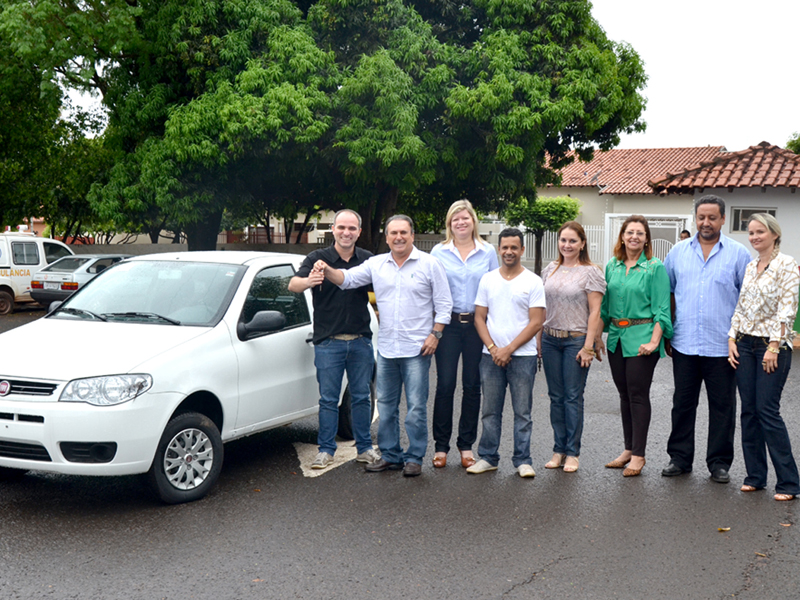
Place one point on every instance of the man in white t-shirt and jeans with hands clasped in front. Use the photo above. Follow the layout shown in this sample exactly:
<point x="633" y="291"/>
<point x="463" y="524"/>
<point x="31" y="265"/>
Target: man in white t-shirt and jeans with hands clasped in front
<point x="509" y="312"/>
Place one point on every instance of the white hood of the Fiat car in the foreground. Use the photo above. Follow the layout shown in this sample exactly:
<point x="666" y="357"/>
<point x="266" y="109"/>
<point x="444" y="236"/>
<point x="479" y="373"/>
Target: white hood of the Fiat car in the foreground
<point x="64" y="349"/>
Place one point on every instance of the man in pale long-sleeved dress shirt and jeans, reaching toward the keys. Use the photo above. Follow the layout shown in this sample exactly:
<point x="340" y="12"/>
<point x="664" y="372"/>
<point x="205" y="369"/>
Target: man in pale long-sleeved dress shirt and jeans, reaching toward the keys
<point x="414" y="303"/>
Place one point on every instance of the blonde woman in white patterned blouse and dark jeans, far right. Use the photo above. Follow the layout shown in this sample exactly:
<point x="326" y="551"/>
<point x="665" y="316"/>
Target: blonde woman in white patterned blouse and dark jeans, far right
<point x="760" y="349"/>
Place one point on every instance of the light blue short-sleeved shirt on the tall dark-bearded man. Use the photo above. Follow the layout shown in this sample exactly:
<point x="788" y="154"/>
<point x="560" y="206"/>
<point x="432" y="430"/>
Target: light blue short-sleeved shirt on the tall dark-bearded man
<point x="706" y="292"/>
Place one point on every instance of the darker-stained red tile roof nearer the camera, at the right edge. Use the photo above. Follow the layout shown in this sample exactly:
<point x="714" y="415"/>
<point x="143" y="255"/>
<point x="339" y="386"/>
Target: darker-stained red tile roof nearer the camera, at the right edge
<point x="764" y="165"/>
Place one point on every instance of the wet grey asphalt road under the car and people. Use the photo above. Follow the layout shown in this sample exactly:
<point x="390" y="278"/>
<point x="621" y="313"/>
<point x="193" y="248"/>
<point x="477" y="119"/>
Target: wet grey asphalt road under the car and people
<point x="266" y="531"/>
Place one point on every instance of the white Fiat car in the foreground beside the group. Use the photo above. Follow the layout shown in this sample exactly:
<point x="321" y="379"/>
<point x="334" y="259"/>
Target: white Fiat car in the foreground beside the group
<point x="178" y="353"/>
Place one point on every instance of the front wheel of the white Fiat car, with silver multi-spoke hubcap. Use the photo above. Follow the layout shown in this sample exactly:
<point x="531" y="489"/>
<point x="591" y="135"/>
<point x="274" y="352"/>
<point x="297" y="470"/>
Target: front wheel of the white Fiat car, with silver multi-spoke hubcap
<point x="178" y="476"/>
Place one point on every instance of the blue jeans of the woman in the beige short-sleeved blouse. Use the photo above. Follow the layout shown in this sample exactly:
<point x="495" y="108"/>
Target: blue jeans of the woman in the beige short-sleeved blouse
<point x="566" y="380"/>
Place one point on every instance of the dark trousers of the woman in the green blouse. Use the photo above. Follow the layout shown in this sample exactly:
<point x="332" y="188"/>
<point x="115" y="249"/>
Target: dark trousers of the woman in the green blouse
<point x="633" y="377"/>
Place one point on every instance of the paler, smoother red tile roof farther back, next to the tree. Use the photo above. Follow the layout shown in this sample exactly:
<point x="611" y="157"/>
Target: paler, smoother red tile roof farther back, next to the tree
<point x="629" y="171"/>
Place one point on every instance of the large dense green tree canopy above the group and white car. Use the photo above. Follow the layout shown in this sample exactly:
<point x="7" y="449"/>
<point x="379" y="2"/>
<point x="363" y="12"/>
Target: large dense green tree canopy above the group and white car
<point x="277" y="107"/>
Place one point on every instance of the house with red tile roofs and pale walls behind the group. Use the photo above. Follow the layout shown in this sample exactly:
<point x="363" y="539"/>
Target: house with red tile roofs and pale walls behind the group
<point x="662" y="184"/>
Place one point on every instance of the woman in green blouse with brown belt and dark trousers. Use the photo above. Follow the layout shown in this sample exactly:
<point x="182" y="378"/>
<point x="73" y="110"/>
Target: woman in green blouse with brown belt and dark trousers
<point x="636" y="314"/>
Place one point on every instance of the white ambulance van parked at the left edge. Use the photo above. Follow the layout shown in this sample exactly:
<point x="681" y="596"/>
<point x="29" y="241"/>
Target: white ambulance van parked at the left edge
<point x="21" y="257"/>
